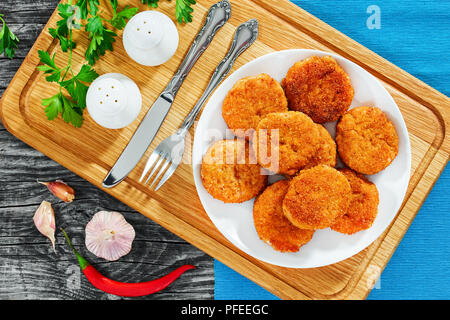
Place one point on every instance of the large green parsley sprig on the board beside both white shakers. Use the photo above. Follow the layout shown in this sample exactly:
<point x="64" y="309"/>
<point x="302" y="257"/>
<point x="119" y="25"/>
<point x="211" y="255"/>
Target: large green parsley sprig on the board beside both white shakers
<point x="71" y="106"/>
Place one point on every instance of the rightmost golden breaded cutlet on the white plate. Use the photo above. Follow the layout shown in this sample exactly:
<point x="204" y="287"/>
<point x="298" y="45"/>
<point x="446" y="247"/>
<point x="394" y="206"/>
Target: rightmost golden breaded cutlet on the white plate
<point x="366" y="139"/>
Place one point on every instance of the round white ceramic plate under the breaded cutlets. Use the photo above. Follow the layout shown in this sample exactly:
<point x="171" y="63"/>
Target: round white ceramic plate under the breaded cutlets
<point x="235" y="221"/>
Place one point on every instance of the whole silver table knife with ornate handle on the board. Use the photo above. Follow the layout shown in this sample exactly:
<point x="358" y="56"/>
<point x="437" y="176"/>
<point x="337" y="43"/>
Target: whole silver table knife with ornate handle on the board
<point x="218" y="14"/>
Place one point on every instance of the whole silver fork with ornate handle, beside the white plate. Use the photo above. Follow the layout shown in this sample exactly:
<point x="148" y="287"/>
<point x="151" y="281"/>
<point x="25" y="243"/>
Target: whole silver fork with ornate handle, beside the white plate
<point x="169" y="152"/>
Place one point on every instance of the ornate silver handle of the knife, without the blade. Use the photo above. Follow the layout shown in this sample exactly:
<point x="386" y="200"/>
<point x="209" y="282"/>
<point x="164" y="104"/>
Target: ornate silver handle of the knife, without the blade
<point x="218" y="14"/>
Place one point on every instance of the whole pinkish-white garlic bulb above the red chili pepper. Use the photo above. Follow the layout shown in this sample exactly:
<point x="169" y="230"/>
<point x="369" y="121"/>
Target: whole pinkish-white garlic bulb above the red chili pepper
<point x="109" y="235"/>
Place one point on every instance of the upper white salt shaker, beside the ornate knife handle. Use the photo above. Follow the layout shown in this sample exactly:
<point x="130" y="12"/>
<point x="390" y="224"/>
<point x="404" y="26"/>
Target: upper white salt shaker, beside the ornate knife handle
<point x="150" y="38"/>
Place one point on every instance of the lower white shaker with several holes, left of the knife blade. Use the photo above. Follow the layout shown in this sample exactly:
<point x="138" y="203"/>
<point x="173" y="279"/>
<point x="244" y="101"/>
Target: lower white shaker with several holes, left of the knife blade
<point x="113" y="100"/>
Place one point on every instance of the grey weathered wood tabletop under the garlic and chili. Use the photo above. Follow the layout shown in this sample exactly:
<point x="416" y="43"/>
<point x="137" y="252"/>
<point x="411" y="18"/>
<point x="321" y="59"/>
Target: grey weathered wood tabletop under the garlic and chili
<point x="29" y="269"/>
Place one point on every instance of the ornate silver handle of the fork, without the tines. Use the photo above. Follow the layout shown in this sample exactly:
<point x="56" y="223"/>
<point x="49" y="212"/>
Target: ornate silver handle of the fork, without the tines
<point x="245" y="35"/>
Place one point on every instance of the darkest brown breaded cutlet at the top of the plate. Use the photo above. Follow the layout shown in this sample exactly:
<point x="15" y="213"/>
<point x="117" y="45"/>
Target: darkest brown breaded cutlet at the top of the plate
<point x="319" y="87"/>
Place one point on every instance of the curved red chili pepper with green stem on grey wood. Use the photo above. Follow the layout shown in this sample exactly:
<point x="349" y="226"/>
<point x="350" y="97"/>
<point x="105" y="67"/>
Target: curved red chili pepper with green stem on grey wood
<point x="122" y="288"/>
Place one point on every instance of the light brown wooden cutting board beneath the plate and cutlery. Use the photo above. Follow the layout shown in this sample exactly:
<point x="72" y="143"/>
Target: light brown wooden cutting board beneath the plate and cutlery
<point x="91" y="150"/>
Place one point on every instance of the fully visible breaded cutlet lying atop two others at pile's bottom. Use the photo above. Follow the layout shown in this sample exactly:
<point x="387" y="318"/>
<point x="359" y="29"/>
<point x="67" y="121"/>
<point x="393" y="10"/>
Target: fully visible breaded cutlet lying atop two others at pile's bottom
<point x="317" y="197"/>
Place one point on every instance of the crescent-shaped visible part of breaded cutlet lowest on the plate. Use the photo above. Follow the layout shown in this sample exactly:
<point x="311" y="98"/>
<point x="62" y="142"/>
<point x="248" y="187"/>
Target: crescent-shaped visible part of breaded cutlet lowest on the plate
<point x="271" y="224"/>
